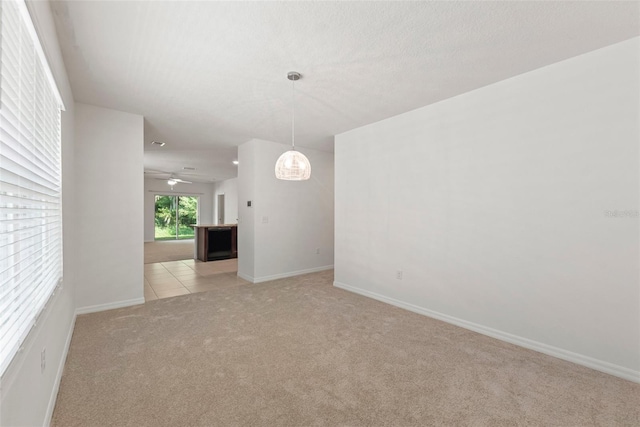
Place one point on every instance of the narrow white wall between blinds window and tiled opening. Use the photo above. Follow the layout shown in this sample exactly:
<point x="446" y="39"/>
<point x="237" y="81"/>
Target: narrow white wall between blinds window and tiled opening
<point x="109" y="218"/>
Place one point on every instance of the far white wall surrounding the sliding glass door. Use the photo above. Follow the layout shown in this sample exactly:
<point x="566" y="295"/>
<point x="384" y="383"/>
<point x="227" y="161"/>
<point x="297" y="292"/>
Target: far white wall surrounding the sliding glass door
<point x="153" y="187"/>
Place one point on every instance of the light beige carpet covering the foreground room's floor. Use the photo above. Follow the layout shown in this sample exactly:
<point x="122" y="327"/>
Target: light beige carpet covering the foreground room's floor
<point x="299" y="352"/>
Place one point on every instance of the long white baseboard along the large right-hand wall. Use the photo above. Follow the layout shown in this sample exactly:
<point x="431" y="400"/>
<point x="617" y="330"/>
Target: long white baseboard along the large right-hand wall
<point x="579" y="359"/>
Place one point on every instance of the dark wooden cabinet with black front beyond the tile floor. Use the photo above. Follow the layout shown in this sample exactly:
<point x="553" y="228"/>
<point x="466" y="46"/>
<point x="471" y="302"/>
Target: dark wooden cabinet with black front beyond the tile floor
<point x="214" y="242"/>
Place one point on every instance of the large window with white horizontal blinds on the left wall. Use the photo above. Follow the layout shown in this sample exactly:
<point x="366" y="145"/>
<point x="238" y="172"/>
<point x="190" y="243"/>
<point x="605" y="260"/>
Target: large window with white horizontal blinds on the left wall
<point x="30" y="180"/>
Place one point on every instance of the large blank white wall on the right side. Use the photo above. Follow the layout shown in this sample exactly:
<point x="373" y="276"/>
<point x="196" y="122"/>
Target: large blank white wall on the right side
<point x="493" y="205"/>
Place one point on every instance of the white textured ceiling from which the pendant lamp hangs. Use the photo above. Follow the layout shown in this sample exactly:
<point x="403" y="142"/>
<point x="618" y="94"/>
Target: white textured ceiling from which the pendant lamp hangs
<point x="208" y="76"/>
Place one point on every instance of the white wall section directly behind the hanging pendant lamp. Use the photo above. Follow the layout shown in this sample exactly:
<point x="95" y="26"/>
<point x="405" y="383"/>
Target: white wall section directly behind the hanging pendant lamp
<point x="291" y="220"/>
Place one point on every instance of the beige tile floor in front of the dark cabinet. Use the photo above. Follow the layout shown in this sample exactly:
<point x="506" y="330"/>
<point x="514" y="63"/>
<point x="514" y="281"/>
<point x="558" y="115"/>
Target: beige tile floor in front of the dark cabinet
<point x="173" y="278"/>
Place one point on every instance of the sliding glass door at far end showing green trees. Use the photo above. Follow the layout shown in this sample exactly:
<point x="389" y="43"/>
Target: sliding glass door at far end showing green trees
<point x="174" y="216"/>
